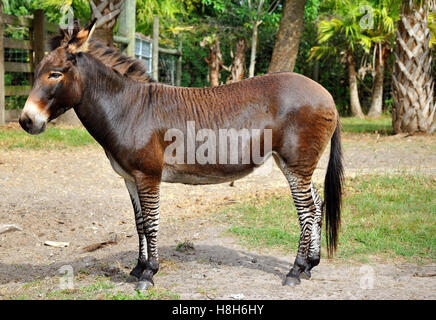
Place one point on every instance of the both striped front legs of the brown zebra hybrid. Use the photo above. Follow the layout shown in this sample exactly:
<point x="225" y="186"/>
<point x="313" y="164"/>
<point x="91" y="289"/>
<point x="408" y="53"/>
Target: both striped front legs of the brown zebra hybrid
<point x="145" y="200"/>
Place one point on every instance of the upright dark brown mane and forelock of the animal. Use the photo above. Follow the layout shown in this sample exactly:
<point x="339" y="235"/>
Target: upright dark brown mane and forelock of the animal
<point x="132" y="68"/>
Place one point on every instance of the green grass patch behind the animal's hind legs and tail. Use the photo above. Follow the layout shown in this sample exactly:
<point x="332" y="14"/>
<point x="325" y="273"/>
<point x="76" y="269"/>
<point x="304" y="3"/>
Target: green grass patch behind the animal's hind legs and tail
<point x="386" y="215"/>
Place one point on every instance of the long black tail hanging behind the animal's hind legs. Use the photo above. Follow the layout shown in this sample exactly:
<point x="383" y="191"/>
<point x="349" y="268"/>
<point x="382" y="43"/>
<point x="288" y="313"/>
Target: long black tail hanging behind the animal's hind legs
<point x="333" y="185"/>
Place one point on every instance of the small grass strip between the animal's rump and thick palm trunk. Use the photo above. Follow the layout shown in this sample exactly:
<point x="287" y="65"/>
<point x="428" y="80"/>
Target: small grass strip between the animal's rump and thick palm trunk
<point x="382" y="125"/>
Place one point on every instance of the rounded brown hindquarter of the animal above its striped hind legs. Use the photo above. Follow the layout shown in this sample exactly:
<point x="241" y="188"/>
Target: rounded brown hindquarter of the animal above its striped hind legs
<point x="308" y="120"/>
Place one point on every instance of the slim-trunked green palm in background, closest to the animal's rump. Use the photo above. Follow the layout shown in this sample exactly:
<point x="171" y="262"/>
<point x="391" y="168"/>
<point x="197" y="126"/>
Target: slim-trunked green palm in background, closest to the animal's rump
<point x="342" y="34"/>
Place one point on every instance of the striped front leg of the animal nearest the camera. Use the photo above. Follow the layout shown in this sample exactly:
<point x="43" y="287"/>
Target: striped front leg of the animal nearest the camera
<point x="149" y="199"/>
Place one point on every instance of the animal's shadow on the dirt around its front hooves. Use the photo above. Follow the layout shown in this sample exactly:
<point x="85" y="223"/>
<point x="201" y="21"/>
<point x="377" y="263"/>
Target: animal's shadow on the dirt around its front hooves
<point x="215" y="256"/>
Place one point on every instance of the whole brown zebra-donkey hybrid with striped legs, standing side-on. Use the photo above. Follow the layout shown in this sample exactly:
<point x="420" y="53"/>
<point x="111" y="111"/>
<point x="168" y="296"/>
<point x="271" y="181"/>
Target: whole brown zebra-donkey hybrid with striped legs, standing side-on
<point x="146" y="129"/>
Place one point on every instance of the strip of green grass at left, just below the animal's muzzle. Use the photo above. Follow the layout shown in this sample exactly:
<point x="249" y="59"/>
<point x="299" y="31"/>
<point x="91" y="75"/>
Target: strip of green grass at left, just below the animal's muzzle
<point x="52" y="138"/>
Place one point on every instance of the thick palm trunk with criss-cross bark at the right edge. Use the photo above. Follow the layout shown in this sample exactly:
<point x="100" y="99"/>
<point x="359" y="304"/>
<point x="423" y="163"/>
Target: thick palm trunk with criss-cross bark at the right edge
<point x="412" y="78"/>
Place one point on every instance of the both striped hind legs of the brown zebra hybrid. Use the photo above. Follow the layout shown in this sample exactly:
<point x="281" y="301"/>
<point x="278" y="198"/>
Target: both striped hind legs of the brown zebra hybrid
<point x="309" y="218"/>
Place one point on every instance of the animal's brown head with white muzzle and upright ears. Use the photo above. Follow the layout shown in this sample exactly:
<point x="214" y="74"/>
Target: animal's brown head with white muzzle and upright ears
<point x="58" y="86"/>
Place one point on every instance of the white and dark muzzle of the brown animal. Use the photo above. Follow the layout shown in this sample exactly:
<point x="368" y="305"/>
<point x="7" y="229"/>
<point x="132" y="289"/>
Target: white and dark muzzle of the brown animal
<point x="34" y="117"/>
